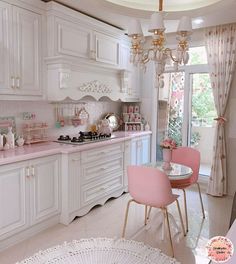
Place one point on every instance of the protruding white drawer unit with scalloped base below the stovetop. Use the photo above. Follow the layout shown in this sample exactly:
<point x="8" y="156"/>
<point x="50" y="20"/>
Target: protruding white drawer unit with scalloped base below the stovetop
<point x="90" y="178"/>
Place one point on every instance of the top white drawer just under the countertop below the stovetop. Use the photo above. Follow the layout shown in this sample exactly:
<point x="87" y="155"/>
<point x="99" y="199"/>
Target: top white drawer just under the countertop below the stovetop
<point x="101" y="152"/>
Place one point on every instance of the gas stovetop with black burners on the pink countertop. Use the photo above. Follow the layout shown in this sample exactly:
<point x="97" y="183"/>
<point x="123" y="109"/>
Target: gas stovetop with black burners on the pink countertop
<point x="83" y="138"/>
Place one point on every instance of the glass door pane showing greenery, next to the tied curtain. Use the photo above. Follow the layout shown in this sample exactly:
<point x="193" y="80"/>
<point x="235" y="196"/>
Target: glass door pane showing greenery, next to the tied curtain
<point x="201" y="120"/>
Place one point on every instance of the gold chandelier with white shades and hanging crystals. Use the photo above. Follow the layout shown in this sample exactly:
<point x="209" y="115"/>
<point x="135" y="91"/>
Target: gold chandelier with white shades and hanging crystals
<point x="158" y="53"/>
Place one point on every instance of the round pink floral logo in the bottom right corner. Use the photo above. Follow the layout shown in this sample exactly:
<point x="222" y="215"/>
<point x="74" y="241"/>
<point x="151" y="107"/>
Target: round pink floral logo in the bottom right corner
<point x="220" y="249"/>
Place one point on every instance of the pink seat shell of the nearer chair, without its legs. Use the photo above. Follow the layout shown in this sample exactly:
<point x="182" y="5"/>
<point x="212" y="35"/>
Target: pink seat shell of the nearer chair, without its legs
<point x="149" y="186"/>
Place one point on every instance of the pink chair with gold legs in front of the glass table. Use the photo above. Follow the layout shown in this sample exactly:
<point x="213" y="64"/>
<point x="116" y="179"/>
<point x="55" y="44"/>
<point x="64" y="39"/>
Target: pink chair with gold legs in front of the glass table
<point x="151" y="187"/>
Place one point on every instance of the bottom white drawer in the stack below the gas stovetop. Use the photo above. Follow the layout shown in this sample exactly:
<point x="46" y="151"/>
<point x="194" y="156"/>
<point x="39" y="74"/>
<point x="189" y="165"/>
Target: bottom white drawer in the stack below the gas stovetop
<point x="92" y="192"/>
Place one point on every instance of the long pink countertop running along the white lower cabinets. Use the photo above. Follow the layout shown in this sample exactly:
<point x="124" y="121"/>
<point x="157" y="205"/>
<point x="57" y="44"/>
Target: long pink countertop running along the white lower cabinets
<point x="50" y="148"/>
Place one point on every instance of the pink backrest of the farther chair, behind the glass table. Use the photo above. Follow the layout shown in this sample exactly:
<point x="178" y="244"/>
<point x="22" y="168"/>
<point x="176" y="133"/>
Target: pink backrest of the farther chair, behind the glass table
<point x="189" y="157"/>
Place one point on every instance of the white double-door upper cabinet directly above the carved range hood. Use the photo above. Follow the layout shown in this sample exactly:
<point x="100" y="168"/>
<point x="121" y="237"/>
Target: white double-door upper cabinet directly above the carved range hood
<point x="78" y="39"/>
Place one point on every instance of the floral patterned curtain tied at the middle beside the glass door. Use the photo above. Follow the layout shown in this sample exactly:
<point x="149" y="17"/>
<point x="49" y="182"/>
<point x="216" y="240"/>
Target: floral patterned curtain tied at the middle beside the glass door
<point x="221" y="53"/>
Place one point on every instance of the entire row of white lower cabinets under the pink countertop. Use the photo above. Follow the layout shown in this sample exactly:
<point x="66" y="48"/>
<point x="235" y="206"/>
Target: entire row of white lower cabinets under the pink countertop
<point x="39" y="193"/>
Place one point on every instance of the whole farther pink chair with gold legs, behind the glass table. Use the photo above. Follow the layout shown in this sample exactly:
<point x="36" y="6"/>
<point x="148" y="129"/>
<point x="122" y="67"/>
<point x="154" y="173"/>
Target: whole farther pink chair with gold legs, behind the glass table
<point x="189" y="157"/>
